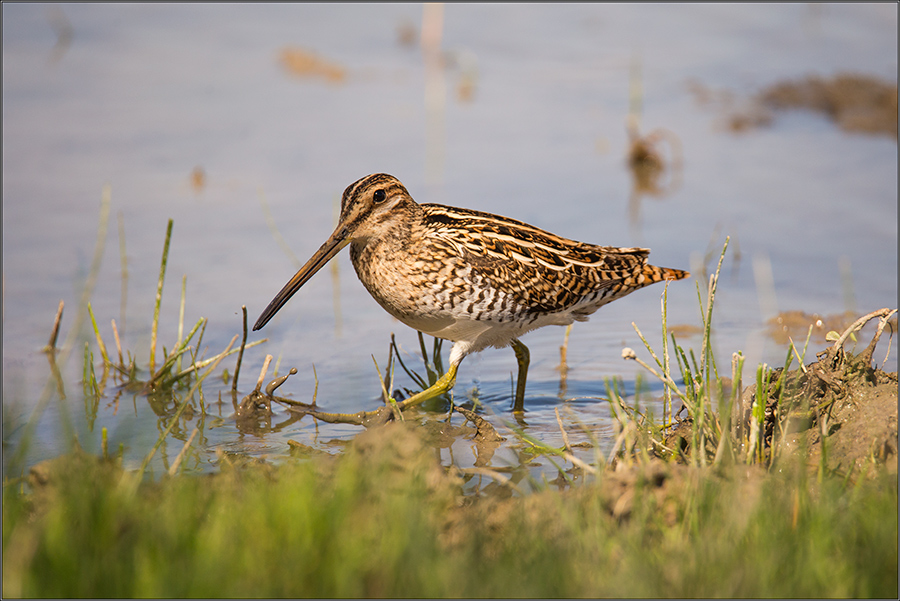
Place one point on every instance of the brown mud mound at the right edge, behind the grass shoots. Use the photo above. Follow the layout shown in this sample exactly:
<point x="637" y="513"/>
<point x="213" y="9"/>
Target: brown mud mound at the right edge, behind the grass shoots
<point x="838" y="413"/>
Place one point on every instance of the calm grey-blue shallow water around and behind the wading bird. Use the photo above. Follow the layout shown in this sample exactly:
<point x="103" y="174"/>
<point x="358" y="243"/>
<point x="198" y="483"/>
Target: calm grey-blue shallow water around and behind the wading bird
<point x="526" y="119"/>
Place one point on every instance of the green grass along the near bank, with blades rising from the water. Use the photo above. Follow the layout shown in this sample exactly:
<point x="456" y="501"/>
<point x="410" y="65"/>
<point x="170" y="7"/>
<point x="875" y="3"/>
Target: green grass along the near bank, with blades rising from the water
<point x="386" y="519"/>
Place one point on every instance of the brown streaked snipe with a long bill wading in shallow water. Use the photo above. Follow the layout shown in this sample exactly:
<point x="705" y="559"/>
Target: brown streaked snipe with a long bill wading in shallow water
<point x="474" y="278"/>
